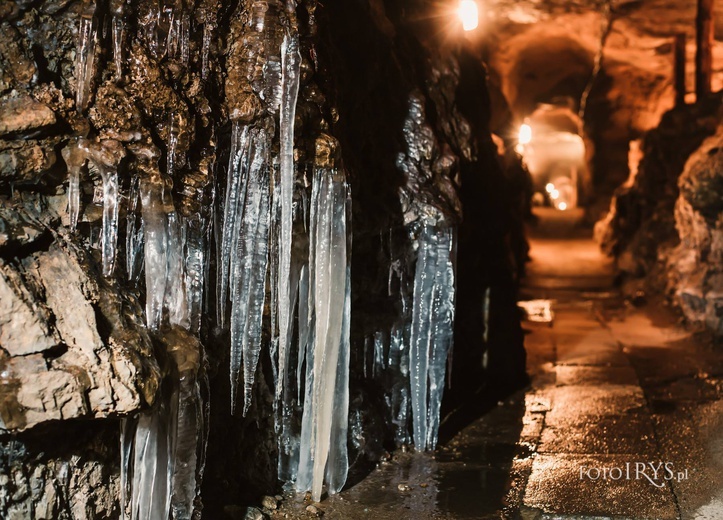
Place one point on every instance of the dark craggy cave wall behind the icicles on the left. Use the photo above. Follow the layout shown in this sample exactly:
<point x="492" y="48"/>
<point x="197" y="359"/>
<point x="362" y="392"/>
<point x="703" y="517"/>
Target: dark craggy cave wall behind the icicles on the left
<point x="410" y="112"/>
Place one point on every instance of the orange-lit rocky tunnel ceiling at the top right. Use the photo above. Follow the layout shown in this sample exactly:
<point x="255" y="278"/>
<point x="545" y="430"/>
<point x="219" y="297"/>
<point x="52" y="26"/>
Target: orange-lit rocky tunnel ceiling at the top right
<point x="541" y="49"/>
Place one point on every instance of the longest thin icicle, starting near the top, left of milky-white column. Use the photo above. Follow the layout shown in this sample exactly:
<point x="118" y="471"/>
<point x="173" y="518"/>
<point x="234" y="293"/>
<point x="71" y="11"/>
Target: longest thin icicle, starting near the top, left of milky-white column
<point x="291" y="61"/>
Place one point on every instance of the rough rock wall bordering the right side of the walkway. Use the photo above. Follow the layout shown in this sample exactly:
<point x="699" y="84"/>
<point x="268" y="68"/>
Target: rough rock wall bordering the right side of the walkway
<point x="665" y="224"/>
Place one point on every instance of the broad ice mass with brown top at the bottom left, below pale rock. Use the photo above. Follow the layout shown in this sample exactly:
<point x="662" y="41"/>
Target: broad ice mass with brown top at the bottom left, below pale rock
<point x="162" y="449"/>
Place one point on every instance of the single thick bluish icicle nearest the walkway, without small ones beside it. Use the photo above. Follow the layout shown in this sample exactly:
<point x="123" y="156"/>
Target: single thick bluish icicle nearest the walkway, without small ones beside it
<point x="432" y="329"/>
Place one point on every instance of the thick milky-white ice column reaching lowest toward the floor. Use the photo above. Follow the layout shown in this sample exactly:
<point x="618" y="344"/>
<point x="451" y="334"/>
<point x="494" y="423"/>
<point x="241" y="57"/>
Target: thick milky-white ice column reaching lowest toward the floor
<point x="323" y="455"/>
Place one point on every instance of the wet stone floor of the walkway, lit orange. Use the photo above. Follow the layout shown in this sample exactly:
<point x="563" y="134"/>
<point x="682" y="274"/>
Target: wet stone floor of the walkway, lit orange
<point x="623" y="418"/>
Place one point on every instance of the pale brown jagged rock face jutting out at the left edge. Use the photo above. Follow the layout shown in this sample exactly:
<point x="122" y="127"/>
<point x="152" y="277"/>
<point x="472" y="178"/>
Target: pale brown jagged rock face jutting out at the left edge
<point x="62" y="361"/>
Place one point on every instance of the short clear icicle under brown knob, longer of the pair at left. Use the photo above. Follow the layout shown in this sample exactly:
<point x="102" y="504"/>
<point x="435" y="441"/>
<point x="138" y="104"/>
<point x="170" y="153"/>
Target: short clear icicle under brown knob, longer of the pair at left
<point x="107" y="156"/>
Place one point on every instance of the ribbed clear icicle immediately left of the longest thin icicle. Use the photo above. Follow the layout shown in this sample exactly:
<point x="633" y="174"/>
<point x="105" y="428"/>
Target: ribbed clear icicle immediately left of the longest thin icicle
<point x="248" y="272"/>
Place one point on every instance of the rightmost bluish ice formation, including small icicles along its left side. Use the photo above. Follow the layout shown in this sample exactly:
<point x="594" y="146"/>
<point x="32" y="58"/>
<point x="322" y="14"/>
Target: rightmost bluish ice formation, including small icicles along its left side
<point x="411" y="359"/>
